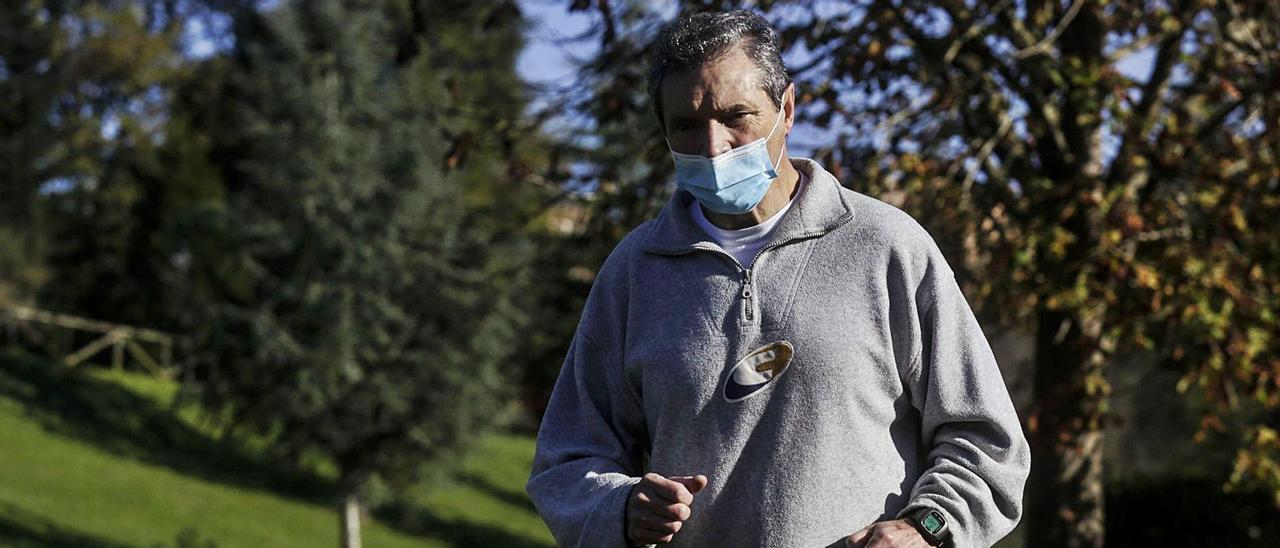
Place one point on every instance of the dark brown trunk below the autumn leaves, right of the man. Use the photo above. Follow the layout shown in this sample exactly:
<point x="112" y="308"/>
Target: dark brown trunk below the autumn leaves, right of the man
<point x="1066" y="497"/>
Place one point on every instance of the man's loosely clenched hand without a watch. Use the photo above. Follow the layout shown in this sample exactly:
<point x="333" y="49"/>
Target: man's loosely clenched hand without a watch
<point x="659" y="506"/>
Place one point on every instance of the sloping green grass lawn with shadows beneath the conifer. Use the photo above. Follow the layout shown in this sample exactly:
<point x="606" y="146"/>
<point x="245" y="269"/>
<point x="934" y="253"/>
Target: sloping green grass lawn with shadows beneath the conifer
<point x="98" y="459"/>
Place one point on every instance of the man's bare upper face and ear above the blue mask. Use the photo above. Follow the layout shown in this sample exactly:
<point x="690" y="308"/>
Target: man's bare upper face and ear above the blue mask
<point x="712" y="109"/>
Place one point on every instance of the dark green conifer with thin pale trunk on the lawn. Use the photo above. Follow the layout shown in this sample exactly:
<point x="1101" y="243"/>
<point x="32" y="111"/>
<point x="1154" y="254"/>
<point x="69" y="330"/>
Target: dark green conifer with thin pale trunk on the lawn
<point x="363" y="300"/>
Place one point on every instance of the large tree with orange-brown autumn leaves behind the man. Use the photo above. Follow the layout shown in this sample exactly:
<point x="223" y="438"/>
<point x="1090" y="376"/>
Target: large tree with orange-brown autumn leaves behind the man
<point x="1108" y="211"/>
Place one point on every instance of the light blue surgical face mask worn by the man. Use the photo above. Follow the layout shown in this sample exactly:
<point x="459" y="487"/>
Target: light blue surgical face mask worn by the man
<point x="734" y="182"/>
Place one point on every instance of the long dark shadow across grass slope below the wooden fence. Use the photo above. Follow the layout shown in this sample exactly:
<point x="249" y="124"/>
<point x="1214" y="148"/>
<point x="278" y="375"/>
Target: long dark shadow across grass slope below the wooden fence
<point x="120" y="422"/>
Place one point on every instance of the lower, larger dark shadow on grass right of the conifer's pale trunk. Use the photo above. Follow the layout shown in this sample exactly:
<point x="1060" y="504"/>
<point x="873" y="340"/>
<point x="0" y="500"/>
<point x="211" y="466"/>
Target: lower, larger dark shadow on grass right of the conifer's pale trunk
<point x="415" y="520"/>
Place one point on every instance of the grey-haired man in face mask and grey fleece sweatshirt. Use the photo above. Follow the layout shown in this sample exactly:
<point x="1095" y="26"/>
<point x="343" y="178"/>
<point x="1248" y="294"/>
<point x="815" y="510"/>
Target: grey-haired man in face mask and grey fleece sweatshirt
<point x="775" y="360"/>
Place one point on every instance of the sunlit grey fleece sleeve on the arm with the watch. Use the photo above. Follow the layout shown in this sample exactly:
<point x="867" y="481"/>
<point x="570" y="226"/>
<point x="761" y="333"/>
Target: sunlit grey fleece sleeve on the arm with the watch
<point x="977" y="456"/>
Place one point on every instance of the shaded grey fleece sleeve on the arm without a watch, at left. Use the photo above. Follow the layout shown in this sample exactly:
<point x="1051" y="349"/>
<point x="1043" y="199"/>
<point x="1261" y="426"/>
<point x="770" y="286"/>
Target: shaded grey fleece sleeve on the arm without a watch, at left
<point x="589" y="450"/>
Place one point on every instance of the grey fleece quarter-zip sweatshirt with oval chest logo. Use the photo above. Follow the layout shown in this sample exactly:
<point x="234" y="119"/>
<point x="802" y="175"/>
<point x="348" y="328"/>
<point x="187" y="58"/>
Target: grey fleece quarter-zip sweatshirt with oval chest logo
<point x="840" y="381"/>
